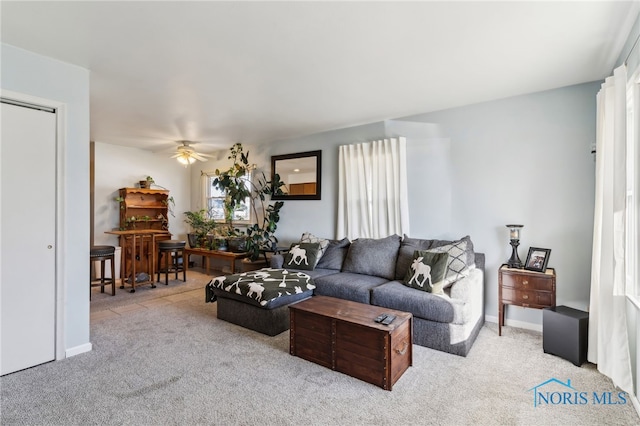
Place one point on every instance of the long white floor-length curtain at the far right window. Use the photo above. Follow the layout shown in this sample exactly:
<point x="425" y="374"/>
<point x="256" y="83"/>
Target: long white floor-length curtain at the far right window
<point x="608" y="340"/>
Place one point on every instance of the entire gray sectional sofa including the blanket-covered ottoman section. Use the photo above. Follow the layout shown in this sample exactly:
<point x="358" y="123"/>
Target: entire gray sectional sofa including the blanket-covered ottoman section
<point x="372" y="271"/>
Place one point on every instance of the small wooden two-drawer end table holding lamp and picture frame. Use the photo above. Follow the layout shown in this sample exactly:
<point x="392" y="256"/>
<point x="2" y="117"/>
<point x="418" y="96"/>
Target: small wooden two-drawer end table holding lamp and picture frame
<point x="525" y="288"/>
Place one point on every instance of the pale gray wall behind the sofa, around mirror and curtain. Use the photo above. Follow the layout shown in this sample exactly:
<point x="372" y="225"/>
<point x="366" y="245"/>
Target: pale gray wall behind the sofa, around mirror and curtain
<point x="474" y="169"/>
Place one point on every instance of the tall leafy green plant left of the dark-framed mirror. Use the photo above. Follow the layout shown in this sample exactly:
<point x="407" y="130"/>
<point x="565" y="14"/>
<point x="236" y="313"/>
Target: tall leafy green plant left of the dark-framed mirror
<point x="237" y="188"/>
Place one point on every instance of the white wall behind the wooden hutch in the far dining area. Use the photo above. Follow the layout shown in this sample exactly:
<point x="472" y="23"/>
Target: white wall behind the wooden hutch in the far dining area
<point x="122" y="167"/>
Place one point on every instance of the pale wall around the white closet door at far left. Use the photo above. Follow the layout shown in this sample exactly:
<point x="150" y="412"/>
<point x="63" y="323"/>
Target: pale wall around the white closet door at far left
<point x="36" y="75"/>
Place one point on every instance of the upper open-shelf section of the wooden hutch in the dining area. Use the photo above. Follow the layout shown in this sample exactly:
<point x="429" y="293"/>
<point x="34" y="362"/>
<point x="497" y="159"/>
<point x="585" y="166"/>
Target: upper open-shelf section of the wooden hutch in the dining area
<point x="142" y="208"/>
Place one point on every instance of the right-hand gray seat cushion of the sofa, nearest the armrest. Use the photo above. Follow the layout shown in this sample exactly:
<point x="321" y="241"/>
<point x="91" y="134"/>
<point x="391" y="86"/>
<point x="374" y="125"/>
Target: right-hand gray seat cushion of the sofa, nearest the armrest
<point x="428" y="306"/>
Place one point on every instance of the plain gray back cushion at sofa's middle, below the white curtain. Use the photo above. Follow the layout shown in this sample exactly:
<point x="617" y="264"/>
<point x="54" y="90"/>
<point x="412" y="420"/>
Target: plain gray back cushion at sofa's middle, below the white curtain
<point x="375" y="257"/>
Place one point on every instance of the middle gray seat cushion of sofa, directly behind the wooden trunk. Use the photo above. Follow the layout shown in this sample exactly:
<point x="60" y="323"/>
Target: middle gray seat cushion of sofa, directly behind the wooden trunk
<point x="348" y="286"/>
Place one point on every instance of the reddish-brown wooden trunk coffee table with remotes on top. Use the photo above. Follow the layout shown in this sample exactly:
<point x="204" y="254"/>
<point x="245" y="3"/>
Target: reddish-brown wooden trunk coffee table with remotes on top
<point x="342" y="335"/>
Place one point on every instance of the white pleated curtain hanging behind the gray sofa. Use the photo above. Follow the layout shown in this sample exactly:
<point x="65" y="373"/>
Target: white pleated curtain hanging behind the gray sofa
<point x="372" y="189"/>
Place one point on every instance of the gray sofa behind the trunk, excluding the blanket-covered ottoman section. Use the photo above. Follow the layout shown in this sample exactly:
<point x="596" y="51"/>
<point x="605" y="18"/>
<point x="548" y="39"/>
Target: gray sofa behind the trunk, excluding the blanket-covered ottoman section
<point x="372" y="270"/>
